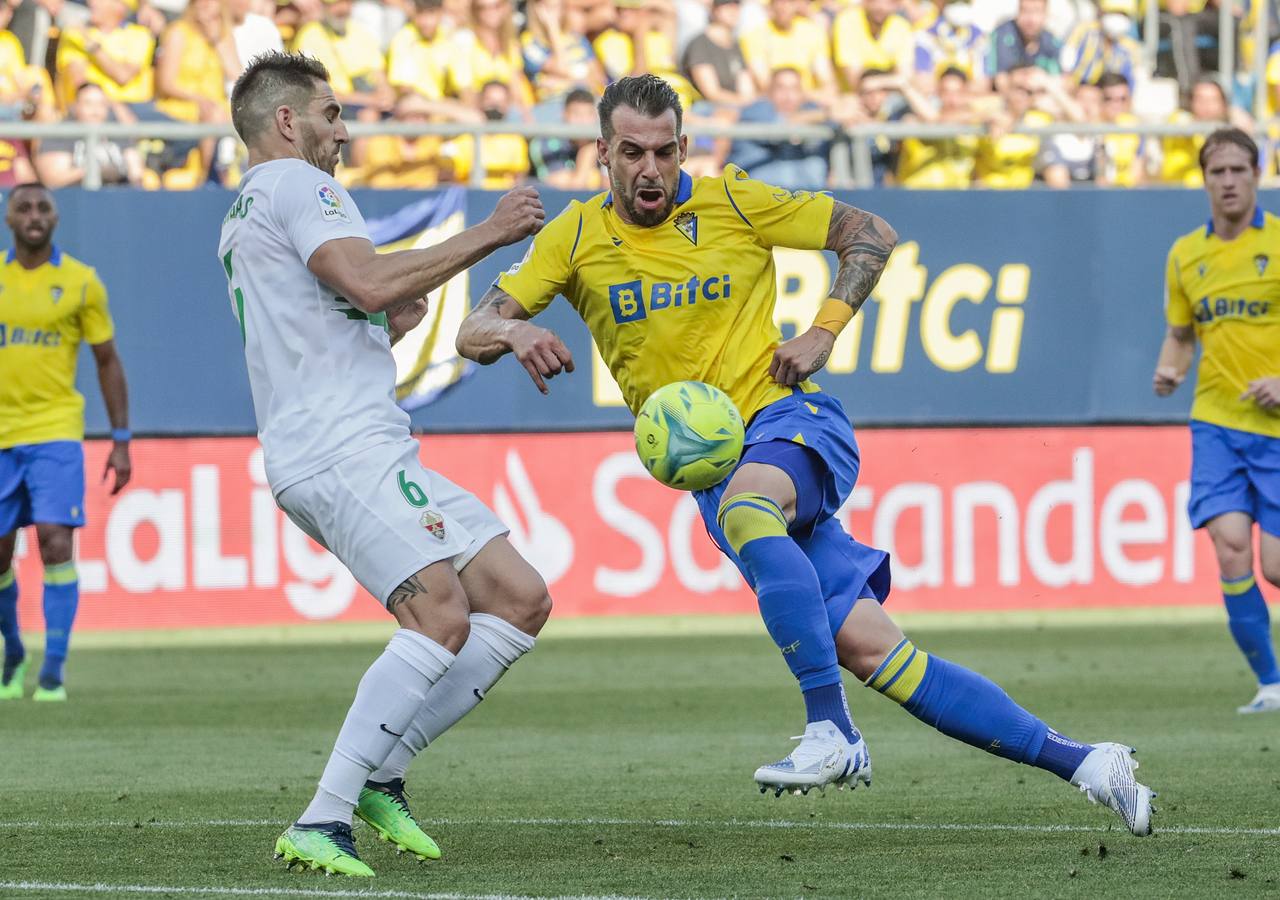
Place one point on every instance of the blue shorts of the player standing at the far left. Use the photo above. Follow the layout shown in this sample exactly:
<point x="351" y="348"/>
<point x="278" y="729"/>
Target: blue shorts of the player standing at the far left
<point x="43" y="483"/>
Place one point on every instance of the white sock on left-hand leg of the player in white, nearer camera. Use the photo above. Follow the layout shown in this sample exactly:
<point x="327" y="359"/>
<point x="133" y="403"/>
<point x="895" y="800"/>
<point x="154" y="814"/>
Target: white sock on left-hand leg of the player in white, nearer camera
<point x="388" y="697"/>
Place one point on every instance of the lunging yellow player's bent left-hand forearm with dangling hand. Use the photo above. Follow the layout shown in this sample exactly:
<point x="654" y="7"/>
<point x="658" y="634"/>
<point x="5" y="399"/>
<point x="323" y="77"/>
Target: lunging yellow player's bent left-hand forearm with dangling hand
<point x="500" y="326"/>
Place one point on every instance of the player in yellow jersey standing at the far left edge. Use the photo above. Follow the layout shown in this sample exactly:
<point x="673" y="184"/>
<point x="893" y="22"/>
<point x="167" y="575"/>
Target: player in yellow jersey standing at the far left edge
<point x="49" y="304"/>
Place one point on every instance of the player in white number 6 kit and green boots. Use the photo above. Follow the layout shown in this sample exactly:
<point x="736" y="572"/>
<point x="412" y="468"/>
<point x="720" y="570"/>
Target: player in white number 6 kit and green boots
<point x="319" y="310"/>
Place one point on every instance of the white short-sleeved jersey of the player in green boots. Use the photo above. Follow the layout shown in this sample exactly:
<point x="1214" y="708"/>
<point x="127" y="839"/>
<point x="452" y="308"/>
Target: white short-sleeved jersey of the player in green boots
<point x="321" y="371"/>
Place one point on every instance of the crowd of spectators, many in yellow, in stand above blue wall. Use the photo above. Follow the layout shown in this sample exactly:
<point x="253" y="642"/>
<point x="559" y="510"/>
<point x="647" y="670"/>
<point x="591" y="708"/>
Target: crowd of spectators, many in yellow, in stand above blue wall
<point x="993" y="63"/>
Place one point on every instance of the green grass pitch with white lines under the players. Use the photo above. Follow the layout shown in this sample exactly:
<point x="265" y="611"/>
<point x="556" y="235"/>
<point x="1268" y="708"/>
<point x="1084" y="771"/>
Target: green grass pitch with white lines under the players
<point x="621" y="766"/>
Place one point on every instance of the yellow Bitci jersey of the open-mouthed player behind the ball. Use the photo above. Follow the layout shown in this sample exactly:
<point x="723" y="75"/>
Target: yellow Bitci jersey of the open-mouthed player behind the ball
<point x="691" y="299"/>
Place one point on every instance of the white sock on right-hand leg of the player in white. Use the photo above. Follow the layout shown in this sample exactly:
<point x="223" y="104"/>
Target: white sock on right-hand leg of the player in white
<point x="493" y="647"/>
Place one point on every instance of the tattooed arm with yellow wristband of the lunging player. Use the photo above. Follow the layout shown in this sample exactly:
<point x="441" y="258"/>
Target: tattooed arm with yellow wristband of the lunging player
<point x="863" y="243"/>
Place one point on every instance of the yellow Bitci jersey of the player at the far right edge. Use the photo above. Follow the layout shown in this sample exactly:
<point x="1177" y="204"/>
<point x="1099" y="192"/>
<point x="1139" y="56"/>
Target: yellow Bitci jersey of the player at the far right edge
<point x="1231" y="293"/>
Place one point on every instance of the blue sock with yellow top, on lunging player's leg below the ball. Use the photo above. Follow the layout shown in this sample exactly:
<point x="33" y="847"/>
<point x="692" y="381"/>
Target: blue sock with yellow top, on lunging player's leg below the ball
<point x="792" y="605"/>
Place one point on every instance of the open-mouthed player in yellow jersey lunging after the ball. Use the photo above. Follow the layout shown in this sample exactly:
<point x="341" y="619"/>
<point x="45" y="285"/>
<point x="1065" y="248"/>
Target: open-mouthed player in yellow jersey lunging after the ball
<point x="675" y="280"/>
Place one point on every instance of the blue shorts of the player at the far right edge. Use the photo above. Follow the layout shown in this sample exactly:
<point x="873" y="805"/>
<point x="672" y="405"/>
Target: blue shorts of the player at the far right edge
<point x="1235" y="472"/>
